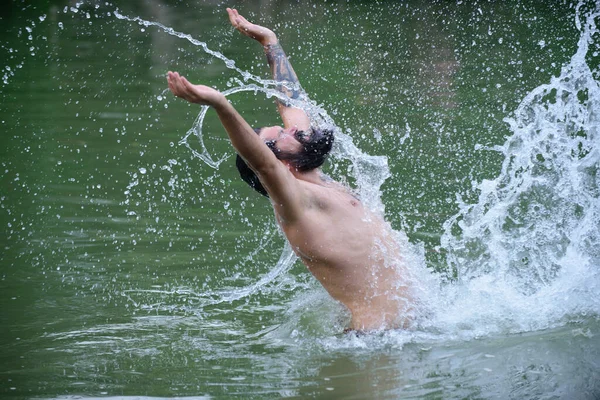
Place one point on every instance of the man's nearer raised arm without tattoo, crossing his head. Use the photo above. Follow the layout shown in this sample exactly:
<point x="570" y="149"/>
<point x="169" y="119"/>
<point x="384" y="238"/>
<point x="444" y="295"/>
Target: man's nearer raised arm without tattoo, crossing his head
<point x="282" y="186"/>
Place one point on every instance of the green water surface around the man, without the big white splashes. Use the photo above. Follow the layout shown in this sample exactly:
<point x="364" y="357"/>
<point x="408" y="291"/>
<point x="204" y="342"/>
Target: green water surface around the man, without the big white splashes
<point x="118" y="246"/>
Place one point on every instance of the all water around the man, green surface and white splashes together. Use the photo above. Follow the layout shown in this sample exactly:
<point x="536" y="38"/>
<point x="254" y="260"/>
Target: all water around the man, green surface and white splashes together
<point x="134" y="266"/>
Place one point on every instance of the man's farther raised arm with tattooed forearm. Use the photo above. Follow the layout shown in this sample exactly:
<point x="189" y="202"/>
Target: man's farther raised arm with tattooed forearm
<point x="281" y="68"/>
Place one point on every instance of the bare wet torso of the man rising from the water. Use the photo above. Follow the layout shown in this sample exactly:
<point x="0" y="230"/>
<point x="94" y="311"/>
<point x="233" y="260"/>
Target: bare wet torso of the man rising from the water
<point x="352" y="252"/>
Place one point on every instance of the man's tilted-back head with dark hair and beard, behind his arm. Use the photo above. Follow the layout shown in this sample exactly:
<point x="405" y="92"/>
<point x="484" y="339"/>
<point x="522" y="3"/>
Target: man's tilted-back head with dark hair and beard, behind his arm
<point x="302" y="150"/>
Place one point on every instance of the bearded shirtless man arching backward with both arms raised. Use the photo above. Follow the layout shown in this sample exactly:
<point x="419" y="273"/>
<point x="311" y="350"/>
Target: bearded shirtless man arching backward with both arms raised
<point x="350" y="250"/>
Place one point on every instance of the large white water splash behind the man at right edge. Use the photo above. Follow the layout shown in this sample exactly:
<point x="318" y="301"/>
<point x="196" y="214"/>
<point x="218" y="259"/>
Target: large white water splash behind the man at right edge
<point x="526" y="255"/>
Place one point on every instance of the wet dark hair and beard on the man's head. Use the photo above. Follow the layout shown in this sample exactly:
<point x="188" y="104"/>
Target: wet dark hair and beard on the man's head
<point x="316" y="145"/>
